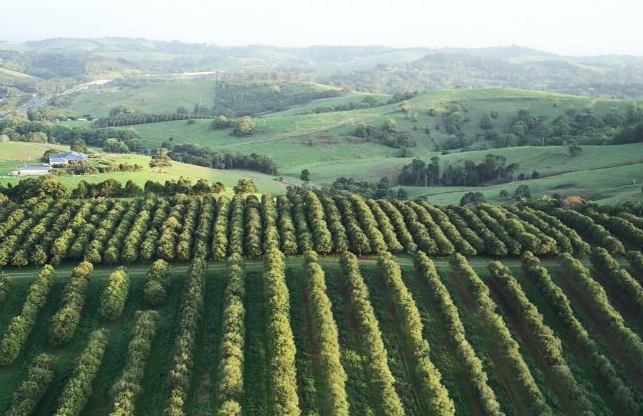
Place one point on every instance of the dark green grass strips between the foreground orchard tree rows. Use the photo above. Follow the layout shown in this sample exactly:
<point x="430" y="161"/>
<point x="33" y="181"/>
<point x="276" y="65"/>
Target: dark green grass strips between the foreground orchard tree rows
<point x="256" y="399"/>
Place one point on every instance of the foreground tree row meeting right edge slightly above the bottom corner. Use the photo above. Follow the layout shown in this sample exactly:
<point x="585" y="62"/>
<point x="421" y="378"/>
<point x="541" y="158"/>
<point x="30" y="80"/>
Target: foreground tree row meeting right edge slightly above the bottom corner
<point x="597" y="299"/>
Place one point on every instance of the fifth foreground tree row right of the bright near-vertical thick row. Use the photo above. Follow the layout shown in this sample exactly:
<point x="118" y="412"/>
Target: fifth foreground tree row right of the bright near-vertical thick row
<point x="504" y="342"/>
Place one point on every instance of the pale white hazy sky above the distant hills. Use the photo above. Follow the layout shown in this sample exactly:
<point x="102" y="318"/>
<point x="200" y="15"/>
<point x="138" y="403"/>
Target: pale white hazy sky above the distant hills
<point x="575" y="27"/>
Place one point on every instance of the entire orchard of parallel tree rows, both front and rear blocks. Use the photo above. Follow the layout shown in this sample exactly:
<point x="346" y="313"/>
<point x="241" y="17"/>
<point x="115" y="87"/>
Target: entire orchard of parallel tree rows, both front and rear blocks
<point x="373" y="334"/>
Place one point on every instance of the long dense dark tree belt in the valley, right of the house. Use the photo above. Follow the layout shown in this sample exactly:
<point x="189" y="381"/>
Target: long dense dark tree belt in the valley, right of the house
<point x="221" y="159"/>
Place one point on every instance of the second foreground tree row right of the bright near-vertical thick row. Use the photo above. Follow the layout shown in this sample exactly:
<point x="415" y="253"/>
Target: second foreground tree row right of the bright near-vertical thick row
<point x="376" y="358"/>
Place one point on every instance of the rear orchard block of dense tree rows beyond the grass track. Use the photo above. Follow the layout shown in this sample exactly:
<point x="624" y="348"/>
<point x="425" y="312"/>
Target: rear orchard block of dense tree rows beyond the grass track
<point x="183" y="227"/>
